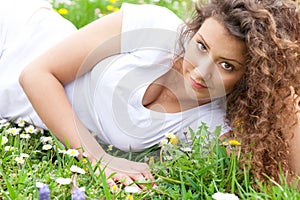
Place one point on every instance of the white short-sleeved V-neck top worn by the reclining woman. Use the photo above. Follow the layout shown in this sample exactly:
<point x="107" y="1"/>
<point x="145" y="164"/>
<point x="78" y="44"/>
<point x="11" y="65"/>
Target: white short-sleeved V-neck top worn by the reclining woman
<point x="108" y="99"/>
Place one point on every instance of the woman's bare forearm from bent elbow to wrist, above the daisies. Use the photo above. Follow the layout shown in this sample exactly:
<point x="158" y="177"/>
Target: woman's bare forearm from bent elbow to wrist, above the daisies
<point x="50" y="101"/>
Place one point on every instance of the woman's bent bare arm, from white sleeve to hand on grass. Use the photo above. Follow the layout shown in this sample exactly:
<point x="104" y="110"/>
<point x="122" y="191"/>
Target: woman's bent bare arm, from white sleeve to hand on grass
<point x="44" y="79"/>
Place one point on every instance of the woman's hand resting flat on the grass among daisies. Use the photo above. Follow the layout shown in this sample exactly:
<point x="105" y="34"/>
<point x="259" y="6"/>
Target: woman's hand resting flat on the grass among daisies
<point x="127" y="172"/>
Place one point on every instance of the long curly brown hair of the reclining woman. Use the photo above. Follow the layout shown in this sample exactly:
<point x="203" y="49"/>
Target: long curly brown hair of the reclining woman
<point x="259" y="109"/>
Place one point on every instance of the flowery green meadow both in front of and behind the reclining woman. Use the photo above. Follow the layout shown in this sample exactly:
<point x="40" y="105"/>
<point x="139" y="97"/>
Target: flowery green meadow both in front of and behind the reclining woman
<point x="35" y="165"/>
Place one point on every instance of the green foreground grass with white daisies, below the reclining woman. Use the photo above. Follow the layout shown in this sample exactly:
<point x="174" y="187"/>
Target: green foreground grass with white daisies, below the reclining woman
<point x="196" y="171"/>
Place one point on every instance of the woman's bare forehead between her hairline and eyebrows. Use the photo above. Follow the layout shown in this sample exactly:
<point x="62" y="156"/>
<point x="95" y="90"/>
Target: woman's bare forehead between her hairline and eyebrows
<point x="220" y="41"/>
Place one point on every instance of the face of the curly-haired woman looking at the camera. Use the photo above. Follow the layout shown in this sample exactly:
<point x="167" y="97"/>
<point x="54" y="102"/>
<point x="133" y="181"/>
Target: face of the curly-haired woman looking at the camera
<point x="213" y="62"/>
